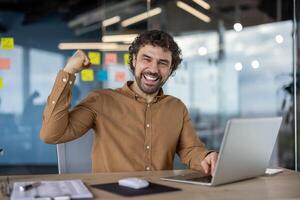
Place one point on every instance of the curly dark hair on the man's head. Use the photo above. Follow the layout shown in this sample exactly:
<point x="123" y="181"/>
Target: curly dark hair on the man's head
<point x="156" y="38"/>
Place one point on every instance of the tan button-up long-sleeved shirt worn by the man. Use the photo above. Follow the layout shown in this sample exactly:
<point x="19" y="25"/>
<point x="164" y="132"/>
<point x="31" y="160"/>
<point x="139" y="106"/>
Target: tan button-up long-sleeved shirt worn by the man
<point x="130" y="134"/>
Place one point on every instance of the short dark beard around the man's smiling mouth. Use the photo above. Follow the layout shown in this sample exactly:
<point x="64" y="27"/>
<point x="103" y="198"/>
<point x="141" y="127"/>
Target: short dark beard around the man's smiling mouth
<point x="149" y="82"/>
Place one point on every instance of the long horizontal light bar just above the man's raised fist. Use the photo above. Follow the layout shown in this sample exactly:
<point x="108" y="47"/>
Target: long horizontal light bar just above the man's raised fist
<point x="94" y="45"/>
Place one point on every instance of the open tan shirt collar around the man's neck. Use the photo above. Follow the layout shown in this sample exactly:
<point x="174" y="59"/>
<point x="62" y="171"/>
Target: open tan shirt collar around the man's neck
<point x="129" y="92"/>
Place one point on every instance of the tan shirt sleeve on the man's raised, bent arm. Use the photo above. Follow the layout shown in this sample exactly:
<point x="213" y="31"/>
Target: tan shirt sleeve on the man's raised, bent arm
<point x="61" y="125"/>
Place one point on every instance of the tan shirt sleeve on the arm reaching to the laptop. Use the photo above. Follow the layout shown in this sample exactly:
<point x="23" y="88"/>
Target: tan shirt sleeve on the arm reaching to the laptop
<point x="190" y="148"/>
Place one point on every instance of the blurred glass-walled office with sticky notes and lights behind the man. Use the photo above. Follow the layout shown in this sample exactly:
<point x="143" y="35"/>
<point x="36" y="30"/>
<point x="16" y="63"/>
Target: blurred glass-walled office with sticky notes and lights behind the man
<point x="241" y="59"/>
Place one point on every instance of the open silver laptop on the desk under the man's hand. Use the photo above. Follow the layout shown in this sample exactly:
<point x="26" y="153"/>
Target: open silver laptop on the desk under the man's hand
<point x="245" y="152"/>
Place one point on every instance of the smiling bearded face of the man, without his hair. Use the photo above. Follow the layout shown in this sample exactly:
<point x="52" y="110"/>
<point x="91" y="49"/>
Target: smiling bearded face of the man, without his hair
<point x="152" y="67"/>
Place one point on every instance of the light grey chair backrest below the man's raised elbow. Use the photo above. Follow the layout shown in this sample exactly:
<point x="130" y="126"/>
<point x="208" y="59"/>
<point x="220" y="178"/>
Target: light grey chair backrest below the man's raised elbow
<point x="75" y="156"/>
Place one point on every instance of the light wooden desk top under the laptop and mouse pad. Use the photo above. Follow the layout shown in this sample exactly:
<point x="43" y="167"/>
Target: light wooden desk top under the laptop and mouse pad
<point x="285" y="185"/>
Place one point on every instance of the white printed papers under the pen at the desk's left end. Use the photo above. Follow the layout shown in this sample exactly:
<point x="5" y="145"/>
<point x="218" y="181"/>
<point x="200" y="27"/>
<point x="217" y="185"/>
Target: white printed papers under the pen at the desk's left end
<point x="75" y="189"/>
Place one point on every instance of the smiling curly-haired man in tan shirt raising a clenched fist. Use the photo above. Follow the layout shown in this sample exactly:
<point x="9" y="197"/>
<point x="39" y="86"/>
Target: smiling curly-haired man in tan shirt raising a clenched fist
<point x="136" y="127"/>
